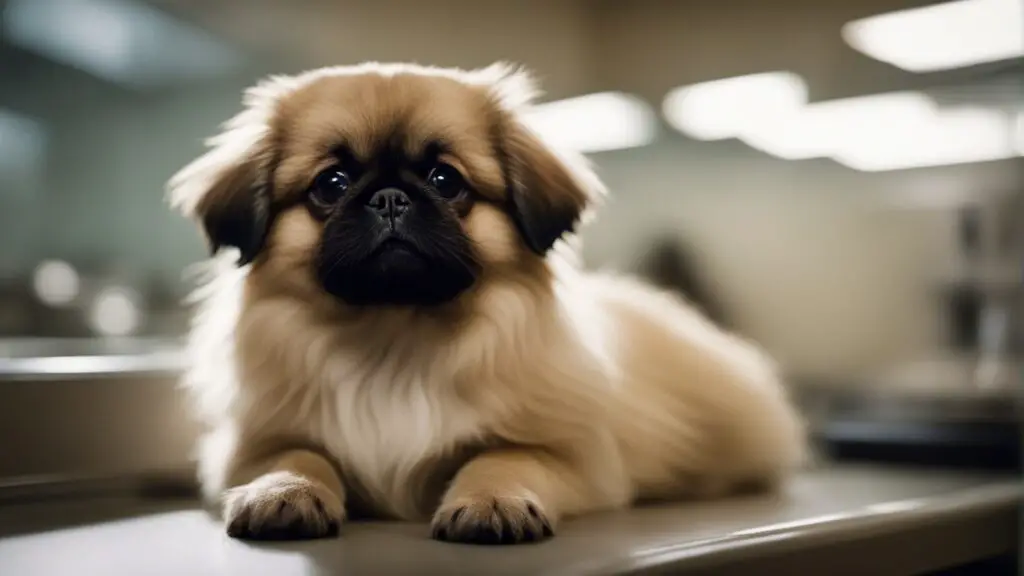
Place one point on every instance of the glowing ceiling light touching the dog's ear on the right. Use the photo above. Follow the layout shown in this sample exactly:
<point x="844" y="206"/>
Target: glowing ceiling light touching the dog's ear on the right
<point x="598" y="122"/>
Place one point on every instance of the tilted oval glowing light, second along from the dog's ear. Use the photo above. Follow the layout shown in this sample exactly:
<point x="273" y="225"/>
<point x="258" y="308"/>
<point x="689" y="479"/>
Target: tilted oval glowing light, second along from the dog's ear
<point x="727" y="108"/>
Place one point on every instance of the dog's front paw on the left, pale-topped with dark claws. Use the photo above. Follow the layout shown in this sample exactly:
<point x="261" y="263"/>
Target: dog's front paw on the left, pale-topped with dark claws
<point x="282" y="507"/>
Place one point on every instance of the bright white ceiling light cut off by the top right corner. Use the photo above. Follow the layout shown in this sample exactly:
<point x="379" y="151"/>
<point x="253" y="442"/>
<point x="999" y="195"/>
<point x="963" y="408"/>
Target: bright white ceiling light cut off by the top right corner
<point x="943" y="36"/>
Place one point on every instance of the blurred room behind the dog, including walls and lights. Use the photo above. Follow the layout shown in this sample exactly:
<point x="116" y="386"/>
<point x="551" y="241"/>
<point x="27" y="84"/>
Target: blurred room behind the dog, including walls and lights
<point x="840" y="181"/>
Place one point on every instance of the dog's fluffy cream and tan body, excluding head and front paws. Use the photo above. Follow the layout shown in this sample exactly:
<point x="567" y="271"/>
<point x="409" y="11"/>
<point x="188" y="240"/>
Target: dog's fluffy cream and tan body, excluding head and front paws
<point x="655" y="400"/>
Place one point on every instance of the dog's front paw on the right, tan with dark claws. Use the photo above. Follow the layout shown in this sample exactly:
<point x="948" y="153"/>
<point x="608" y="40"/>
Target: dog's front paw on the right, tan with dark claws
<point x="491" y="520"/>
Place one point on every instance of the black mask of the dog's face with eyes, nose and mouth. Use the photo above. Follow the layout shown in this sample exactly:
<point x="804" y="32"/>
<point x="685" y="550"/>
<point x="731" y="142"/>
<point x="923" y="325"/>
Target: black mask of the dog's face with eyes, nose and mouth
<point x="393" y="229"/>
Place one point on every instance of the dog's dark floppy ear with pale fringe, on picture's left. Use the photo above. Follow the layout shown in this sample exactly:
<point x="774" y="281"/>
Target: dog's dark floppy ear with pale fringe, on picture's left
<point x="229" y="189"/>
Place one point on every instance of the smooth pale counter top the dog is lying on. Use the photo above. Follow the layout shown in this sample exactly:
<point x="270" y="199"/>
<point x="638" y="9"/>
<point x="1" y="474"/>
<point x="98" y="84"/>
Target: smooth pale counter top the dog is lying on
<point x="836" y="520"/>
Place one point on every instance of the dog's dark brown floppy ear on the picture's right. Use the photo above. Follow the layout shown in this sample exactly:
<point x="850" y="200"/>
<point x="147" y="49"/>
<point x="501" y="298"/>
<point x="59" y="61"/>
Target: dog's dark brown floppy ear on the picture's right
<point x="549" y="190"/>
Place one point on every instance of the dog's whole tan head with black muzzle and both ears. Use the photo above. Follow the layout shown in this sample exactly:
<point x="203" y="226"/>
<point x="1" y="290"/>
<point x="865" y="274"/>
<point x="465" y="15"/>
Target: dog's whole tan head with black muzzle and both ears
<point x="386" y="186"/>
